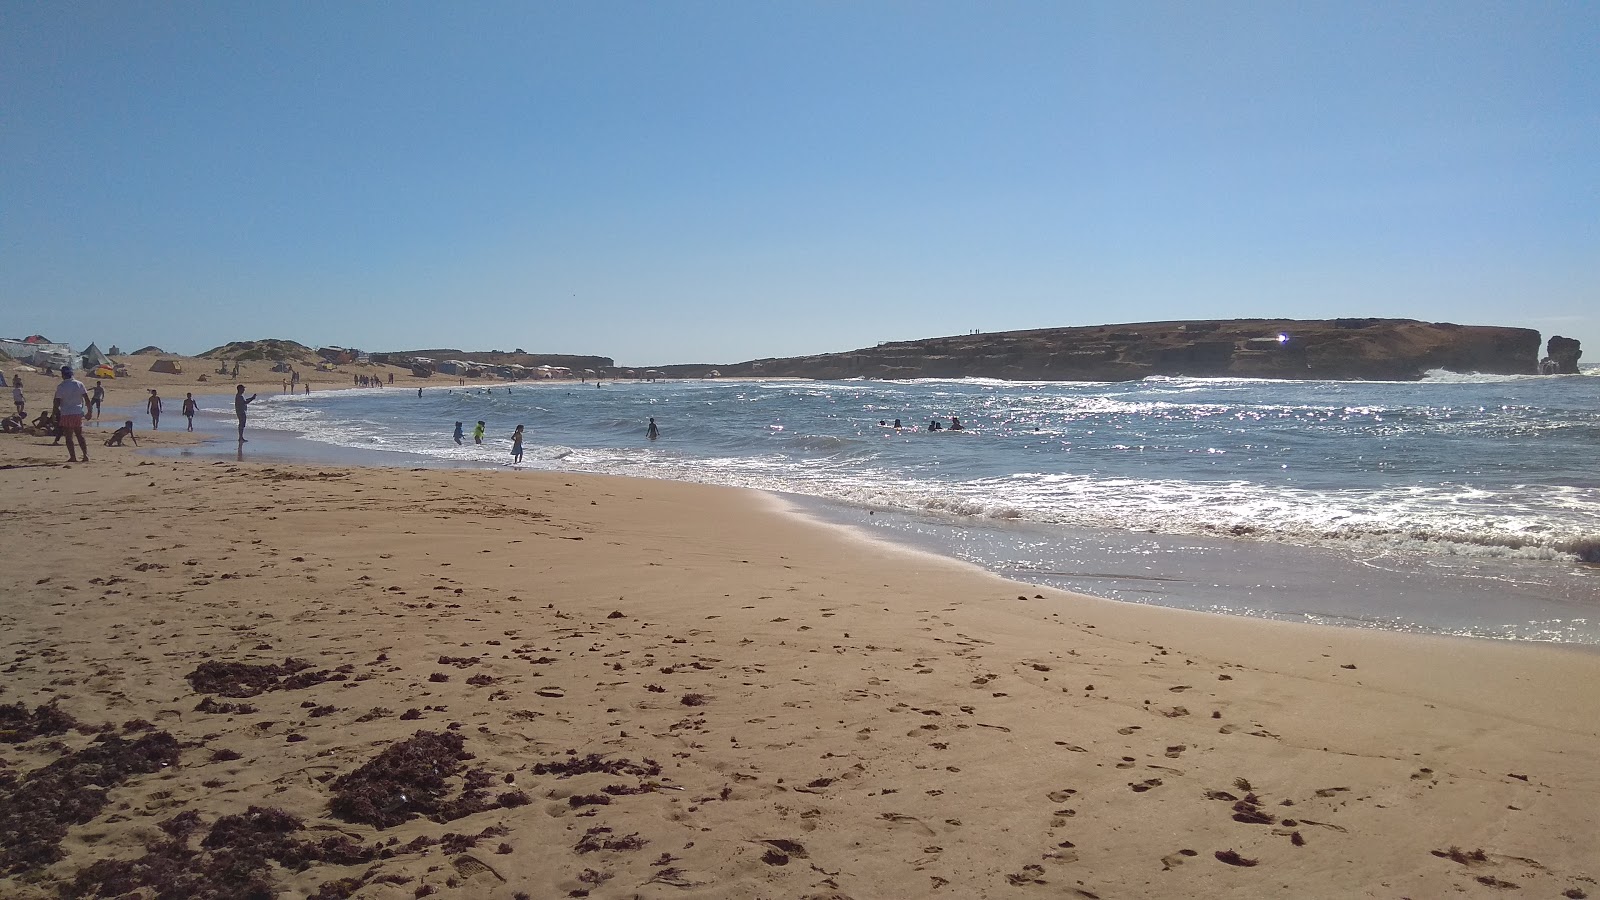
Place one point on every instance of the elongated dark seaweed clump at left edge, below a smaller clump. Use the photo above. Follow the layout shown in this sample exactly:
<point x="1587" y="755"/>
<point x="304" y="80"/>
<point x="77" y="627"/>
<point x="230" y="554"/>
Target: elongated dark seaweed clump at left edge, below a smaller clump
<point x="36" y="816"/>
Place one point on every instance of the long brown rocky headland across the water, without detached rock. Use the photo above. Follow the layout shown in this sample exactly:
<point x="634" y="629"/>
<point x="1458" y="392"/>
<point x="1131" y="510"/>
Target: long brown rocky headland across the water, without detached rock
<point x="1391" y="350"/>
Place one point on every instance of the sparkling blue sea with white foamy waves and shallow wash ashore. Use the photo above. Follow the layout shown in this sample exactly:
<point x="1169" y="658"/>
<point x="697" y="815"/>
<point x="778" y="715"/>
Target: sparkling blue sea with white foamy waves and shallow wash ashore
<point x="1462" y="505"/>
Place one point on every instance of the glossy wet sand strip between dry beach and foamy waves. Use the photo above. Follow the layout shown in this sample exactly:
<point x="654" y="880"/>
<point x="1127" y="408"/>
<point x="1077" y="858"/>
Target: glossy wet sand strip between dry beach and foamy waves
<point x="1279" y="582"/>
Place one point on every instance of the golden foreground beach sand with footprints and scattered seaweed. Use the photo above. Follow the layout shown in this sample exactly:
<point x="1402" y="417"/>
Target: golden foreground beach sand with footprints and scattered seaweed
<point x="775" y="709"/>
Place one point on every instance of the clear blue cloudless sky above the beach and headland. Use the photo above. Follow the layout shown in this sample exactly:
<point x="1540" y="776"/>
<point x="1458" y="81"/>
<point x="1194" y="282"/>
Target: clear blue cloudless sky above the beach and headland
<point x="713" y="182"/>
